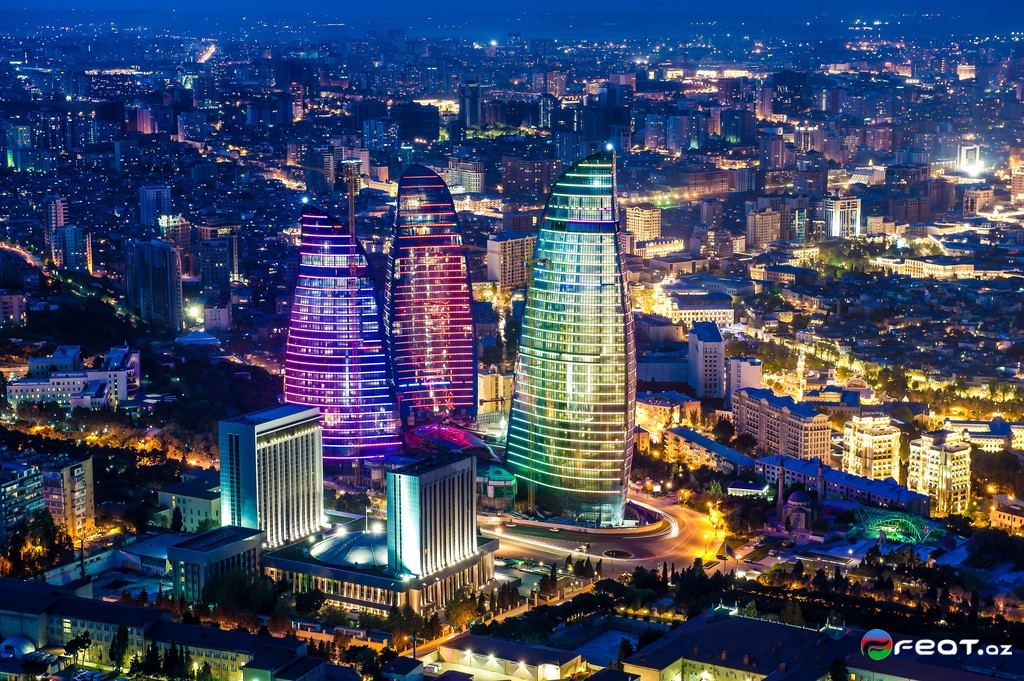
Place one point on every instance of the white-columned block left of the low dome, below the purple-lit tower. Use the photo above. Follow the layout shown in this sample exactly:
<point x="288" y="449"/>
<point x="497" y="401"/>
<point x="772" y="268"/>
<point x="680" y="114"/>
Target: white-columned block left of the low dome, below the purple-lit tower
<point x="272" y="473"/>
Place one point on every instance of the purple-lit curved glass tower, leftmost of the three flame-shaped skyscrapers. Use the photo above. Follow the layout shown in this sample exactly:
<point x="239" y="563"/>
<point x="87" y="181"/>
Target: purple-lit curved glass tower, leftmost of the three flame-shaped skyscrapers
<point x="335" y="358"/>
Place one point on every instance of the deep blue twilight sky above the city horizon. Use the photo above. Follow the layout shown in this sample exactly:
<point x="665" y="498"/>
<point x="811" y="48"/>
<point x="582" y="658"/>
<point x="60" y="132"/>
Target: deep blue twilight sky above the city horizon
<point x="648" y="18"/>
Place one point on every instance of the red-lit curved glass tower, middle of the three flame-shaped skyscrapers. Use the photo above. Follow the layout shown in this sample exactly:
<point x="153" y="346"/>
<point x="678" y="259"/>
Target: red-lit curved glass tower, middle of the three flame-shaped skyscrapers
<point x="429" y="315"/>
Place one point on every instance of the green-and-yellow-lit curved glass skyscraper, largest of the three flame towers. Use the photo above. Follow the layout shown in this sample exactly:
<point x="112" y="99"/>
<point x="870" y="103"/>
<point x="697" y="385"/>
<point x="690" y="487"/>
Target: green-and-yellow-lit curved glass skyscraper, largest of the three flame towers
<point x="571" y="430"/>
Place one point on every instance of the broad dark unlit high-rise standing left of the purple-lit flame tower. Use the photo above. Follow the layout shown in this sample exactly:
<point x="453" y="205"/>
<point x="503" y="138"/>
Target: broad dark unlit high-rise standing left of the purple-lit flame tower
<point x="153" y="271"/>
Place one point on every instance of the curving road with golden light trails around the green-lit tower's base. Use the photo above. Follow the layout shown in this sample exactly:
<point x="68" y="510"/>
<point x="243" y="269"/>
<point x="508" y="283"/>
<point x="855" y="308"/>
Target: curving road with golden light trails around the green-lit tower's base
<point x="690" y="535"/>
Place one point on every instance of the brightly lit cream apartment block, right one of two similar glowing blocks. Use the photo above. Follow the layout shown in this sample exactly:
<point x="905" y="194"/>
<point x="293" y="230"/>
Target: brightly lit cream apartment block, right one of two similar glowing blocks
<point x="941" y="467"/>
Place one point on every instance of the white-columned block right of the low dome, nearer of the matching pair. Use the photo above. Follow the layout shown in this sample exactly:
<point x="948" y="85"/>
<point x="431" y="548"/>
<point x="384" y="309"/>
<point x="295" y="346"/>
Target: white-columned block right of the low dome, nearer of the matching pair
<point x="432" y="516"/>
